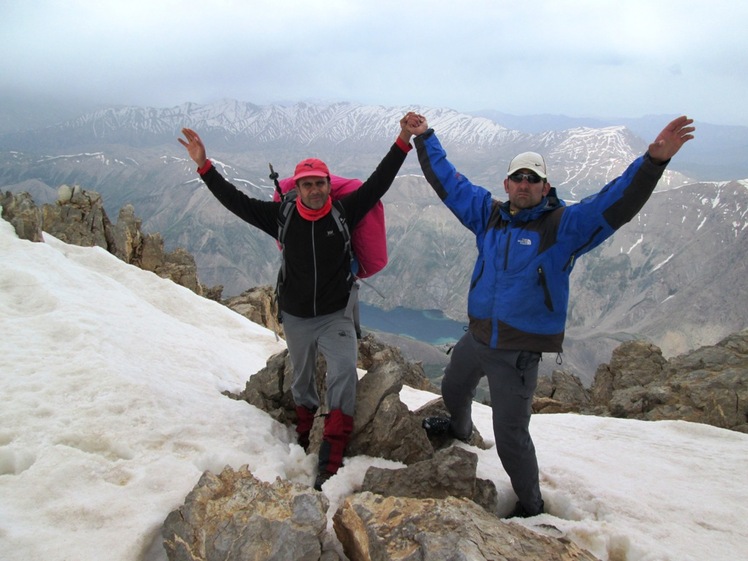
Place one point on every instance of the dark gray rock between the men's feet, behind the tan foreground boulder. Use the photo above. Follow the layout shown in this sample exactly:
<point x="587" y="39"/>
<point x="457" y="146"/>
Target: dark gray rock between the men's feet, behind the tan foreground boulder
<point x="450" y="473"/>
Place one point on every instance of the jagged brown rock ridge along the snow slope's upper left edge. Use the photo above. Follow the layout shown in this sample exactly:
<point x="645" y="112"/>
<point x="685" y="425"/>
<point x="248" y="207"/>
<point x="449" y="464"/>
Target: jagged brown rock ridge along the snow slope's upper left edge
<point x="79" y="218"/>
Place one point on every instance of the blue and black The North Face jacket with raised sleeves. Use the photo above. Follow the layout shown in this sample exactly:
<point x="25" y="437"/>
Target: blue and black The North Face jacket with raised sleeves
<point x="519" y="290"/>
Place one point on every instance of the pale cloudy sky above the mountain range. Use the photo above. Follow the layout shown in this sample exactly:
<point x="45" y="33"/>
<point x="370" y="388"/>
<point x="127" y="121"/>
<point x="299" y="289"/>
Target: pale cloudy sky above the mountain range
<point x="591" y="58"/>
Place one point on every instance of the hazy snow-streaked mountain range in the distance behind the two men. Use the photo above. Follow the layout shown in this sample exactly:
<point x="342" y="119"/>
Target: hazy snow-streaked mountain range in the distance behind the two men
<point x="676" y="274"/>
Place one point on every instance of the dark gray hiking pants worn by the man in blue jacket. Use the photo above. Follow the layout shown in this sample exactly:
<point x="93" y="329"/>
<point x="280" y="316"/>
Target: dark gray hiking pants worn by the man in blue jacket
<point x="512" y="379"/>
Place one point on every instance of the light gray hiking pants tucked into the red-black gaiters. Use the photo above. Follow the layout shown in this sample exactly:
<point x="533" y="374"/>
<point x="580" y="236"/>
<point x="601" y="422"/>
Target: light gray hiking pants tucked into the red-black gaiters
<point x="334" y="336"/>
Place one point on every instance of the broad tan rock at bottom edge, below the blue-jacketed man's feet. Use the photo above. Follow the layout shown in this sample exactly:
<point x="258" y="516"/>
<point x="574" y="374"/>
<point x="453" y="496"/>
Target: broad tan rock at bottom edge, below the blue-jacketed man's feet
<point x="372" y="527"/>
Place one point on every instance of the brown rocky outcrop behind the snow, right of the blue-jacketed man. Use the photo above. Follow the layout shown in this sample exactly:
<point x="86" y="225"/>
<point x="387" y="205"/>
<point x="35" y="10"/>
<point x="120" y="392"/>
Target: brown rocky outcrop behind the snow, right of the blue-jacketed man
<point x="708" y="385"/>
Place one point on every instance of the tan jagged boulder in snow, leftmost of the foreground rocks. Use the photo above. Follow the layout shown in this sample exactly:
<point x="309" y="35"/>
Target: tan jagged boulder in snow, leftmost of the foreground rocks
<point x="236" y="517"/>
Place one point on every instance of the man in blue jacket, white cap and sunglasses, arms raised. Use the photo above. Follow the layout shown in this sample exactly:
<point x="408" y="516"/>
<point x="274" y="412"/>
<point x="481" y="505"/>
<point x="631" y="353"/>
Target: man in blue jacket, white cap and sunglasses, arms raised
<point x="519" y="291"/>
